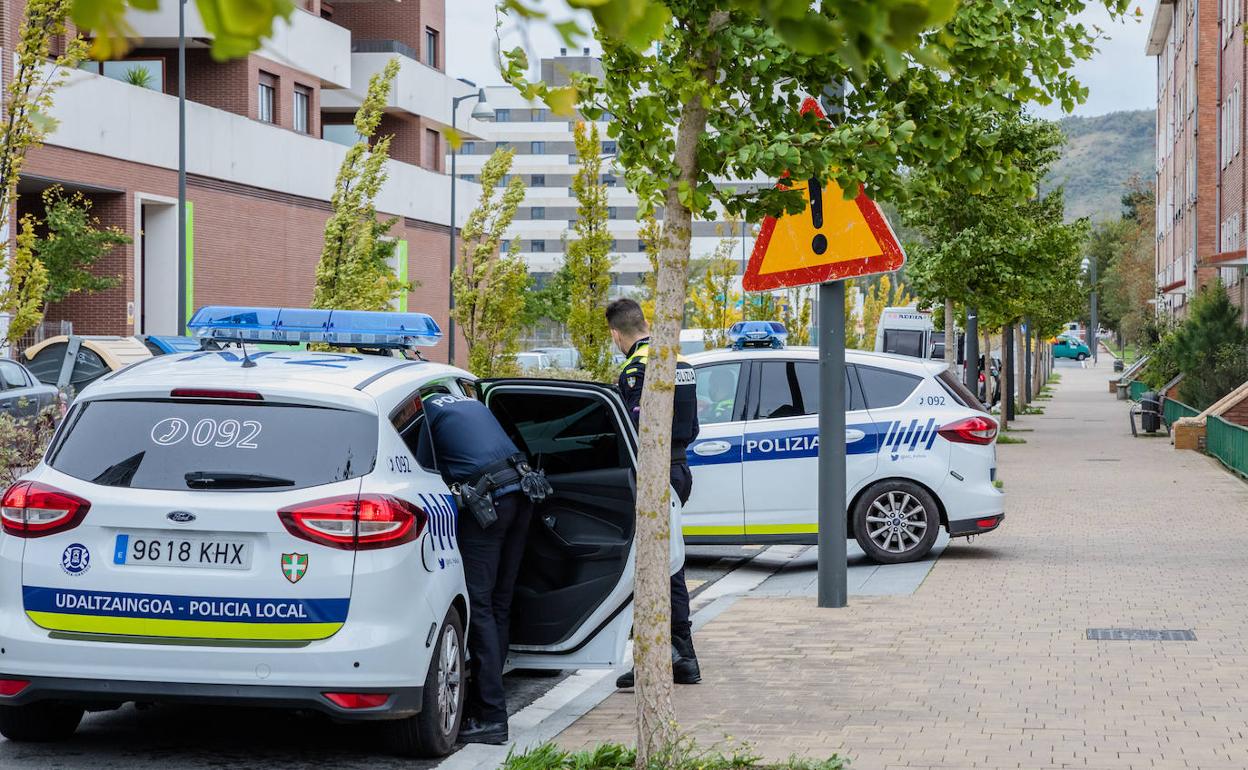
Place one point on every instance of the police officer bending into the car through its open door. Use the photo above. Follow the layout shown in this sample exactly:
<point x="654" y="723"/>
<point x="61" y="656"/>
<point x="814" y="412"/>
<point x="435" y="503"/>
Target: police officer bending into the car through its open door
<point x="494" y="484"/>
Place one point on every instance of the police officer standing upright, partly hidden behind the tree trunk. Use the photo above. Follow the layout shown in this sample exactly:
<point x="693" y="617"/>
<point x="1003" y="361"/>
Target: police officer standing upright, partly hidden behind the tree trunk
<point x="632" y="336"/>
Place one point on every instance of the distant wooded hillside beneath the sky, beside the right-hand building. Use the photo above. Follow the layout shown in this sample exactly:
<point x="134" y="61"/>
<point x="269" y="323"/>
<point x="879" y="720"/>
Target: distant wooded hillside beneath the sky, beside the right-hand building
<point x="1101" y="154"/>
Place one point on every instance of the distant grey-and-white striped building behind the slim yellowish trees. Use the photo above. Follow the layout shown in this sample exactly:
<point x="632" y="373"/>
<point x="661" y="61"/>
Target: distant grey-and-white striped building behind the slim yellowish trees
<point x="546" y="160"/>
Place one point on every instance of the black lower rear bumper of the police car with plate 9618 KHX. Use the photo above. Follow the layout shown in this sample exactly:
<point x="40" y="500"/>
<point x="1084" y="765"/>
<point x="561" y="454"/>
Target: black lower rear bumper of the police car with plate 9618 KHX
<point x="402" y="702"/>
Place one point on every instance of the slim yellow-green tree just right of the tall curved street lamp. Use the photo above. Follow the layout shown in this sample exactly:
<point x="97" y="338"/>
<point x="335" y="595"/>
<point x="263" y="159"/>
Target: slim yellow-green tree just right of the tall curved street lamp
<point x="490" y="284"/>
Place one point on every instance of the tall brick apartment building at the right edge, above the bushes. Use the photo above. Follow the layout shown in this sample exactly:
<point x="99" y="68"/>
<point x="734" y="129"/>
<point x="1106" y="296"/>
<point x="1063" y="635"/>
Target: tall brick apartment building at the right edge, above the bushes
<point x="1202" y="162"/>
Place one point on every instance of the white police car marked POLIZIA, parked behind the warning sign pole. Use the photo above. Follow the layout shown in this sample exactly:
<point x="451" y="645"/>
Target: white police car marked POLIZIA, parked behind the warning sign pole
<point x="920" y="452"/>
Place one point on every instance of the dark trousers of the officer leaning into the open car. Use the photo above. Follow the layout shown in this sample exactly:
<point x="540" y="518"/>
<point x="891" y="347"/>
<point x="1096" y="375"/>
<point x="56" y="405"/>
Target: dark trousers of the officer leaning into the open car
<point x="492" y="560"/>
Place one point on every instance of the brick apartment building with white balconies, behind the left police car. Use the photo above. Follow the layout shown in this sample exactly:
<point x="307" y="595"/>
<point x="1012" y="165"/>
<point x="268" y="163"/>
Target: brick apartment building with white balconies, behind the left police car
<point x="265" y="139"/>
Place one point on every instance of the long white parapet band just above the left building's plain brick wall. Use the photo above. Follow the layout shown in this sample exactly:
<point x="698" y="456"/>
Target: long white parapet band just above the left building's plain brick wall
<point x="140" y="125"/>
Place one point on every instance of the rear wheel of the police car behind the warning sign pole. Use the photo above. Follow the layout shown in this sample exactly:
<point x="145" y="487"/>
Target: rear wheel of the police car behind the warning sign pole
<point x="897" y="522"/>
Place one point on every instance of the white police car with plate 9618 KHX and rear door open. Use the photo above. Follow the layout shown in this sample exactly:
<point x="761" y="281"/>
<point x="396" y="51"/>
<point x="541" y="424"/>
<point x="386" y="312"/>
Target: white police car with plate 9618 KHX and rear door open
<point x="253" y="527"/>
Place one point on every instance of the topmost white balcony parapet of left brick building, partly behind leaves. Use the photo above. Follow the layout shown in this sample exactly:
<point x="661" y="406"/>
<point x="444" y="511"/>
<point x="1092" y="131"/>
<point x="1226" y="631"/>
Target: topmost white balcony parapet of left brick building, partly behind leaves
<point x="306" y="43"/>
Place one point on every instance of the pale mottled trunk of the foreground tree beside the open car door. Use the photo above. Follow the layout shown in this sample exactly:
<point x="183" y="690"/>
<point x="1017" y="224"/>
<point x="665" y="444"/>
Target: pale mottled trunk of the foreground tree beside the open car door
<point x="652" y="621"/>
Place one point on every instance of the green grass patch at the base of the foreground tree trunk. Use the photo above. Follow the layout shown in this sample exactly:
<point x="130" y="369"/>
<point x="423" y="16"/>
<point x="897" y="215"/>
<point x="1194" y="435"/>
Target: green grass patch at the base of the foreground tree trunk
<point x="688" y="757"/>
